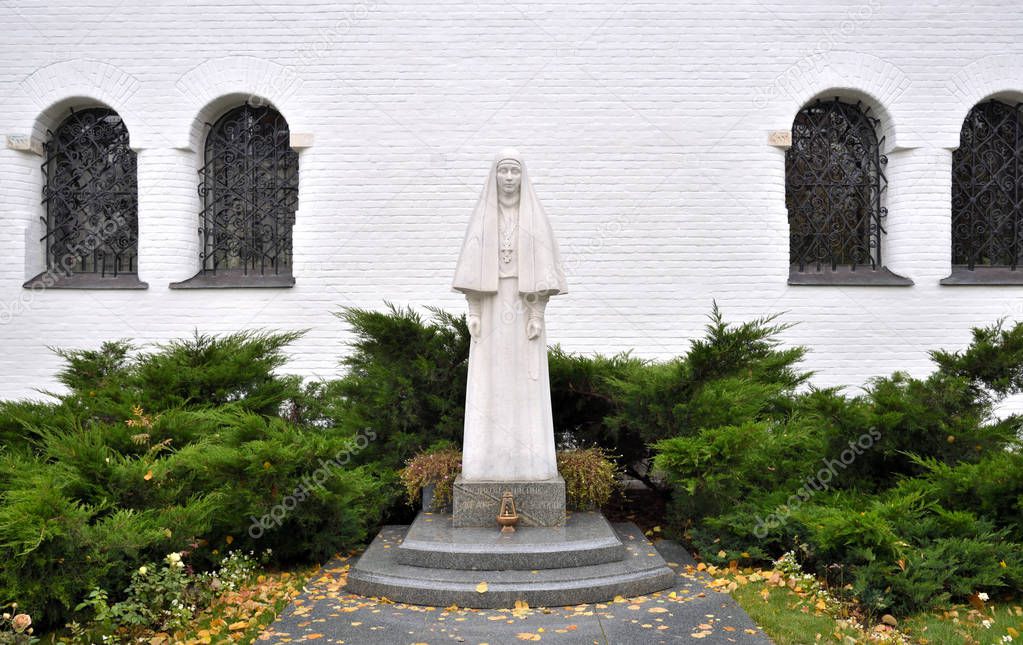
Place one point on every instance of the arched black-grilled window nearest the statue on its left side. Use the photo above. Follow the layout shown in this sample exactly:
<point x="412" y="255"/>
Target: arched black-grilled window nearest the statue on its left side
<point x="250" y="191"/>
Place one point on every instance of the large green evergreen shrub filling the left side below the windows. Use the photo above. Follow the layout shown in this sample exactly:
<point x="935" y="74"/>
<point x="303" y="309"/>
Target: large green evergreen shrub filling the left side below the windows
<point x="107" y="484"/>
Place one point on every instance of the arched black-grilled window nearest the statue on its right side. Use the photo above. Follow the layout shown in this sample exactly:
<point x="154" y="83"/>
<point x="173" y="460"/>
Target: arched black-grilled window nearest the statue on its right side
<point x="833" y="191"/>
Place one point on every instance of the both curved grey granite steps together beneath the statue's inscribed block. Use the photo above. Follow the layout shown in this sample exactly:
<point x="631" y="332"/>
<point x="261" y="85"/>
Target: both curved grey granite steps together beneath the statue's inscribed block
<point x="585" y="561"/>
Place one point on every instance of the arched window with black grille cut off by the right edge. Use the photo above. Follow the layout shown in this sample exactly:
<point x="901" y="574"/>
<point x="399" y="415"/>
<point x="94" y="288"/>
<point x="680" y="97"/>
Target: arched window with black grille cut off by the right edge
<point x="988" y="190"/>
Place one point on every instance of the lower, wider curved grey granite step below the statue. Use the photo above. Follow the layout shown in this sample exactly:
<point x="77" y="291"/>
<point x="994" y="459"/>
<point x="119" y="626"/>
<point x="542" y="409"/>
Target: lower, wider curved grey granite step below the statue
<point x="378" y="574"/>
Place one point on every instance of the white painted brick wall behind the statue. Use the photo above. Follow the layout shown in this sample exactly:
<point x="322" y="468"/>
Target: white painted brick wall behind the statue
<point x="645" y="127"/>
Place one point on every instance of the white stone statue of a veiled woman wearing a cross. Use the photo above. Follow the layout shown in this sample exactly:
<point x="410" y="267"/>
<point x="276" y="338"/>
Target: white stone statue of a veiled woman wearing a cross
<point x="509" y="268"/>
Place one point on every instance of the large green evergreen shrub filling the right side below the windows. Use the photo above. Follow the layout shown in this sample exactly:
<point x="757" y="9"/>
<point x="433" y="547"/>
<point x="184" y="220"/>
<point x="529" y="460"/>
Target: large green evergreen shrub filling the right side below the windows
<point x="910" y="494"/>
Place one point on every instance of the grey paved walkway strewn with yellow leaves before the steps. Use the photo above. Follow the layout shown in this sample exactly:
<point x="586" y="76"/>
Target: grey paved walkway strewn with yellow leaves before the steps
<point x="690" y="613"/>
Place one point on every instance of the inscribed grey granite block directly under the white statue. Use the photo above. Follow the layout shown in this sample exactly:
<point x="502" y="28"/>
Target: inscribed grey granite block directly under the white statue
<point x="539" y="503"/>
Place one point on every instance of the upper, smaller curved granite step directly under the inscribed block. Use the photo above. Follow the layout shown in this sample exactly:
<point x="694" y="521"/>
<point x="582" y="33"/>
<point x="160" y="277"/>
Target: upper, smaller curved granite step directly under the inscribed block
<point x="586" y="539"/>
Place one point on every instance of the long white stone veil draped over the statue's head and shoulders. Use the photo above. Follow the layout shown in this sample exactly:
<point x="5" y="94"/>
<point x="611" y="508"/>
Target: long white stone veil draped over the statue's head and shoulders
<point x="540" y="268"/>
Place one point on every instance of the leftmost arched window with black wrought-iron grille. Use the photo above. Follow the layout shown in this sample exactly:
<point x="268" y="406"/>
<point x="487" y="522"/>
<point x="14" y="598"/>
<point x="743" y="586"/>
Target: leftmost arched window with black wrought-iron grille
<point x="92" y="201"/>
